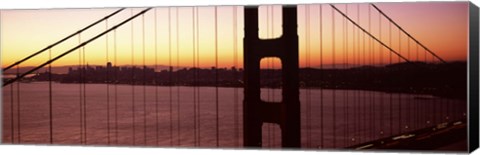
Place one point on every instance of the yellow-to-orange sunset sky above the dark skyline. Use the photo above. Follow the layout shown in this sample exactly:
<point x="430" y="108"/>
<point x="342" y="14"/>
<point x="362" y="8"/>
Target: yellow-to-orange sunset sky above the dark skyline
<point x="440" y="26"/>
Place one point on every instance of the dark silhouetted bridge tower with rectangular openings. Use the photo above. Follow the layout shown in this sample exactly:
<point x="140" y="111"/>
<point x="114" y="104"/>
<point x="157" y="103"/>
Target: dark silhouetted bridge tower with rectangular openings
<point x="285" y="113"/>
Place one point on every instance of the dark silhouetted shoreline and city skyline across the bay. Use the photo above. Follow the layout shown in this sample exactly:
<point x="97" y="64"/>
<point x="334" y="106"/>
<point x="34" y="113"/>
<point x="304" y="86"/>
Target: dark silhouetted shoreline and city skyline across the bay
<point x="445" y="80"/>
